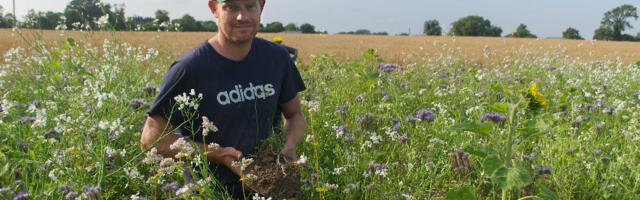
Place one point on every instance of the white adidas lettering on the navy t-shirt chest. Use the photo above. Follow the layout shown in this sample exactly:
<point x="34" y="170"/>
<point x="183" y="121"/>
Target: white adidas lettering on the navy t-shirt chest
<point x="239" y="94"/>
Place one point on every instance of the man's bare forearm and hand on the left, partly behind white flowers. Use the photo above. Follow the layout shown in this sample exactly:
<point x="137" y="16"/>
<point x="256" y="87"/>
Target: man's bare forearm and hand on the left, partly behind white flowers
<point x="154" y="132"/>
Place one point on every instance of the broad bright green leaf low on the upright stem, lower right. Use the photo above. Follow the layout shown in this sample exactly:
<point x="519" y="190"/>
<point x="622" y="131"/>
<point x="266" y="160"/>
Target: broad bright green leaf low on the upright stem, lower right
<point x="511" y="178"/>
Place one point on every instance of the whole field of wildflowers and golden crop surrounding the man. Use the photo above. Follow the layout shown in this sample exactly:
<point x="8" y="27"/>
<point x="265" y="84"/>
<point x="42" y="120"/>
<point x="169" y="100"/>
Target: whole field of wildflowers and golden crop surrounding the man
<point x="412" y="118"/>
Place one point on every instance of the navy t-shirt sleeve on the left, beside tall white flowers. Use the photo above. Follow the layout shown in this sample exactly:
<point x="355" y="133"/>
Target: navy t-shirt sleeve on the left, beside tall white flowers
<point x="173" y="84"/>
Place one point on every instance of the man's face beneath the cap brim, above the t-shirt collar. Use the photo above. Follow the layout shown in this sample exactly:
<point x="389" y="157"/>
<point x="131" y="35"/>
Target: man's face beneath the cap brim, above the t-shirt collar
<point x="238" y="20"/>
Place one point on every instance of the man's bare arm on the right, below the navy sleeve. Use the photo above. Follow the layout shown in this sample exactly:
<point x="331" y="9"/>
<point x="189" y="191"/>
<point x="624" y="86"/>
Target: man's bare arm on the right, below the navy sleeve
<point x="294" y="126"/>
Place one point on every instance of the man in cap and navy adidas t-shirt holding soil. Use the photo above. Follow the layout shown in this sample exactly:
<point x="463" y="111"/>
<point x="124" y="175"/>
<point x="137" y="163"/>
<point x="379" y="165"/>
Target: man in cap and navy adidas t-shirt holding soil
<point x="247" y="84"/>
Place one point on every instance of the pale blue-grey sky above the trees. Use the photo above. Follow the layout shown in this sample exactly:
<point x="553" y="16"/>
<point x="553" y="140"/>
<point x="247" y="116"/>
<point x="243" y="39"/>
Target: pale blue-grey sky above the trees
<point x="545" y="18"/>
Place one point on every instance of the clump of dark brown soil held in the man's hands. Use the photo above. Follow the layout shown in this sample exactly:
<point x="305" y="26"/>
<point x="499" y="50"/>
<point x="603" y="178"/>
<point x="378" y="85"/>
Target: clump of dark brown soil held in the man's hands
<point x="277" y="178"/>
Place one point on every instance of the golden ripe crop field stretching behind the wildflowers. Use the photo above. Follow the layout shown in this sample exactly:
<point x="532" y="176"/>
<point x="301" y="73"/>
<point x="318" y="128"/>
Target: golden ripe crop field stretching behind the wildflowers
<point x="396" y="49"/>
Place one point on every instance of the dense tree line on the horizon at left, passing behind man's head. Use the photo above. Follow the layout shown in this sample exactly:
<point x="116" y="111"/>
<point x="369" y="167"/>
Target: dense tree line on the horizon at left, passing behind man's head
<point x="96" y="15"/>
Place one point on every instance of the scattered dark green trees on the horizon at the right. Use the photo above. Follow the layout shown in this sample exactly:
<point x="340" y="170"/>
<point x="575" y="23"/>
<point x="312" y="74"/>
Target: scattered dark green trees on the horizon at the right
<point x="611" y="27"/>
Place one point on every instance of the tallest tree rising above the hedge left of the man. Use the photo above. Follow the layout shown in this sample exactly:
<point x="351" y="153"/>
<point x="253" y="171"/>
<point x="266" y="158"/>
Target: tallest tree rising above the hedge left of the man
<point x="85" y="13"/>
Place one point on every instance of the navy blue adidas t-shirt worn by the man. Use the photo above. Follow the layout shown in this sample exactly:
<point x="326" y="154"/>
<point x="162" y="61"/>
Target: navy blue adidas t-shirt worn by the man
<point x="241" y="98"/>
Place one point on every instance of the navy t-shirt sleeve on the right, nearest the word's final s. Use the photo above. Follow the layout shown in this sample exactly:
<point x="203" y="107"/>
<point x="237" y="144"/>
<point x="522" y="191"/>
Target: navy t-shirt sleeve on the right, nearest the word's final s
<point x="292" y="82"/>
